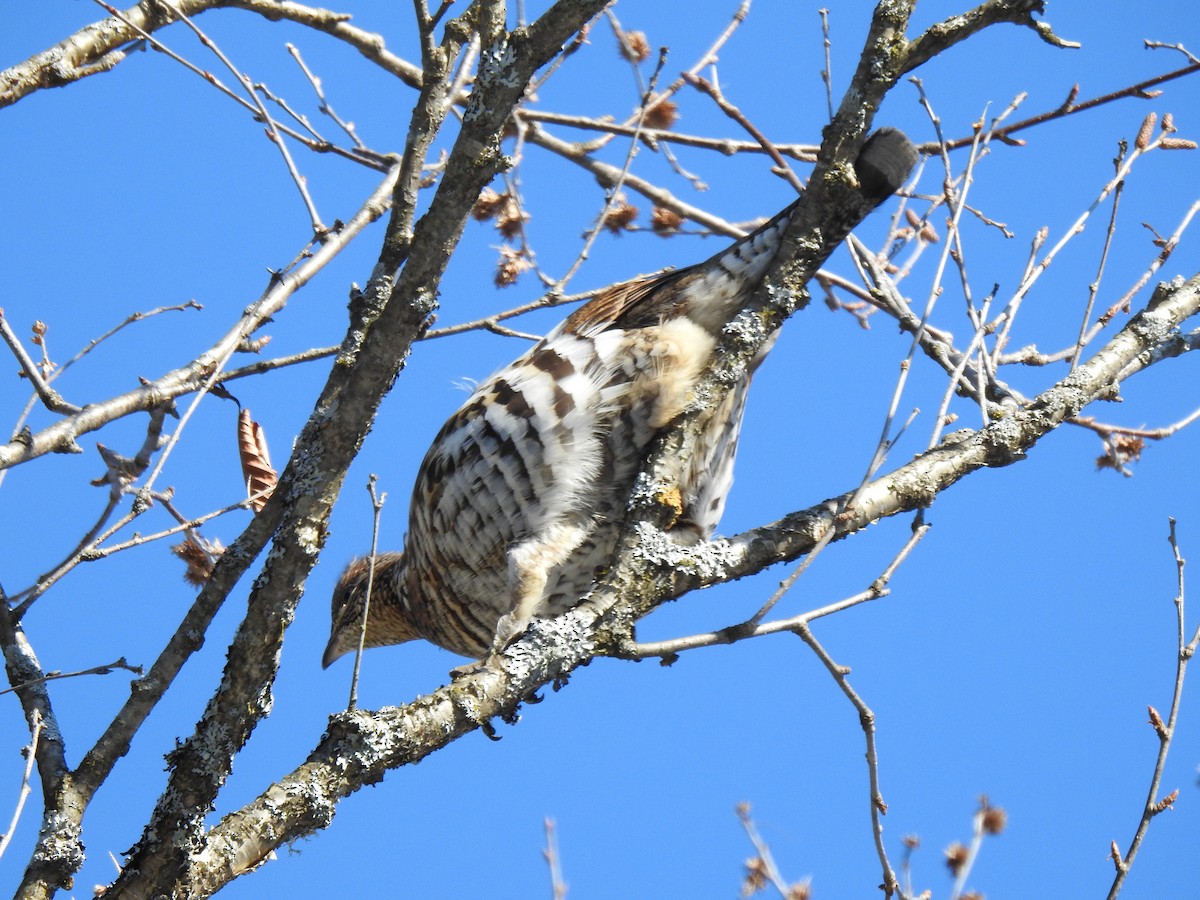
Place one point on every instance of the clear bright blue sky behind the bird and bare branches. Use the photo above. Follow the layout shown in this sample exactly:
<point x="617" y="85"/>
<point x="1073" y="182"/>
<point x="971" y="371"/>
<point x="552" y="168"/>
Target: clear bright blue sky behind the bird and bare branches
<point x="1015" y="658"/>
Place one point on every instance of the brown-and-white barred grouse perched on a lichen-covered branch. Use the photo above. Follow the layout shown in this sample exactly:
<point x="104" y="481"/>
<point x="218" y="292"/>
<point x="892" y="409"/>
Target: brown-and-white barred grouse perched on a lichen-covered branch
<point x="519" y="502"/>
